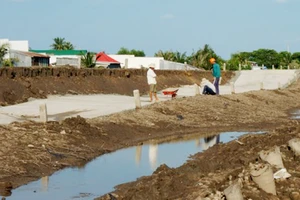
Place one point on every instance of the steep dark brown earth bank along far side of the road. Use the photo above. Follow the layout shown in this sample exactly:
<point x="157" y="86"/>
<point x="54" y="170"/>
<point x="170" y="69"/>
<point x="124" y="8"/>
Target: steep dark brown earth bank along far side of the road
<point x="19" y="84"/>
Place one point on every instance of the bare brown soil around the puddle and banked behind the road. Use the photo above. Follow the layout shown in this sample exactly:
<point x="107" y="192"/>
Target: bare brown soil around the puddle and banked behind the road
<point x="32" y="150"/>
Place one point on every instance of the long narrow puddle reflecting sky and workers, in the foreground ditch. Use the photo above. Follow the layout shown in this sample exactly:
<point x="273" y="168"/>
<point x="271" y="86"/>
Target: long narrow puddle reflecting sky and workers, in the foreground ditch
<point x="101" y="175"/>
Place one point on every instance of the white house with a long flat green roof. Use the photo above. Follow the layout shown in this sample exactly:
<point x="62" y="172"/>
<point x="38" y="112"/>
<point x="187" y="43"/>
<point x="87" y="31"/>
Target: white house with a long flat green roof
<point x="63" y="57"/>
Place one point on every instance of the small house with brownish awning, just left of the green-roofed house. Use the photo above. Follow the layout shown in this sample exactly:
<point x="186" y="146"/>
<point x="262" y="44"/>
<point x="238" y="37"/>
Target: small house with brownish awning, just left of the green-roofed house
<point x="28" y="59"/>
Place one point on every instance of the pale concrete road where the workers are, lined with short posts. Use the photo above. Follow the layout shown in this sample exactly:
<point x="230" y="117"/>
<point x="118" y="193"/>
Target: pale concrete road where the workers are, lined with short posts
<point x="90" y="106"/>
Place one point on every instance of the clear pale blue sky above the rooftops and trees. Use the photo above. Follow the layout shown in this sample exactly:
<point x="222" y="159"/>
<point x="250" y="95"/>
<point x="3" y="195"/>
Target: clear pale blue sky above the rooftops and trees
<point x="228" y="26"/>
